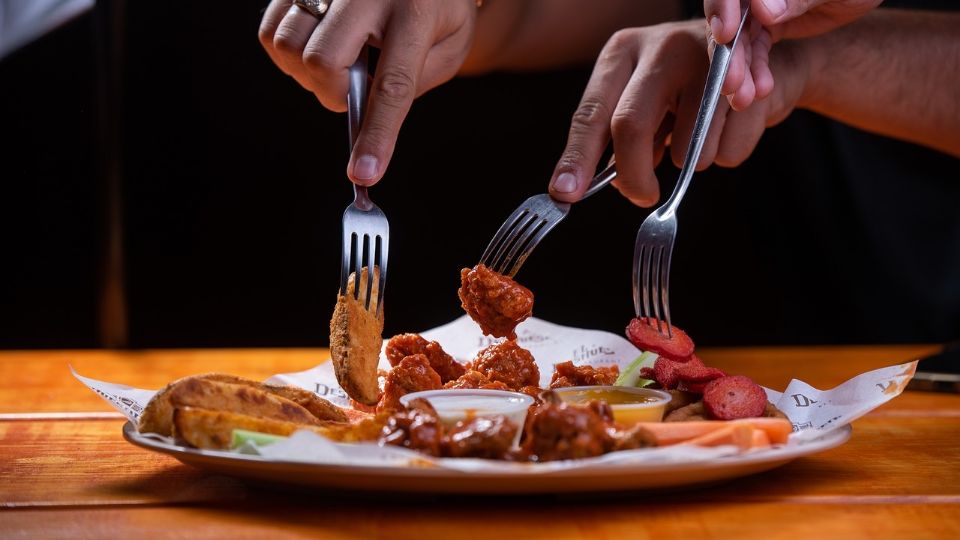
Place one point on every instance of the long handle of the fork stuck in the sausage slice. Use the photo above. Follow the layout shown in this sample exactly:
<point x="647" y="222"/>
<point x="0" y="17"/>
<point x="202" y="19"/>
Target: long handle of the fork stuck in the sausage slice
<point x="708" y="106"/>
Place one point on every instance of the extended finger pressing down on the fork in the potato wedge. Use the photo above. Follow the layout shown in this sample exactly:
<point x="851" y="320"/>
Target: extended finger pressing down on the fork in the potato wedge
<point x="405" y="48"/>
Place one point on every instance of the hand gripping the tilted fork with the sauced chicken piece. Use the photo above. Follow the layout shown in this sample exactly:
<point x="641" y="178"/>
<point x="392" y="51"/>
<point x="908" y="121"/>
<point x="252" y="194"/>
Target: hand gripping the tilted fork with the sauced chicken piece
<point x="645" y="93"/>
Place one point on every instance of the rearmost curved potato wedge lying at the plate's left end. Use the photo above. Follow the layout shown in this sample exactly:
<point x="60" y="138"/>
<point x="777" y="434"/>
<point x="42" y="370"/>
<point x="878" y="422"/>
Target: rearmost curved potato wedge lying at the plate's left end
<point x="157" y="417"/>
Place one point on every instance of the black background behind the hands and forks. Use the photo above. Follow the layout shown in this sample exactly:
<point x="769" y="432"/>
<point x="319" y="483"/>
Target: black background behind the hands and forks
<point x="234" y="185"/>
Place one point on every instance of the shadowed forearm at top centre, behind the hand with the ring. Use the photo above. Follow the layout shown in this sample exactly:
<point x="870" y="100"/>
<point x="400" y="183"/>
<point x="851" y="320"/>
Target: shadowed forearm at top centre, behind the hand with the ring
<point x="545" y="34"/>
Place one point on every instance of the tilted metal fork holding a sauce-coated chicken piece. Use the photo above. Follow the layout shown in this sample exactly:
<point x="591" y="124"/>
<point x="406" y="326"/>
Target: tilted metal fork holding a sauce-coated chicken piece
<point x="529" y="223"/>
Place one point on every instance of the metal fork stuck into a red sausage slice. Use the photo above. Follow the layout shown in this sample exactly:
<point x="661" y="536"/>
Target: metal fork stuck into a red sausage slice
<point x="654" y="246"/>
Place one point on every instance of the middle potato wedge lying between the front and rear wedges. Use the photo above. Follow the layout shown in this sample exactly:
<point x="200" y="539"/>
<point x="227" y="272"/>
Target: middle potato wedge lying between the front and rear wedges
<point x="238" y="398"/>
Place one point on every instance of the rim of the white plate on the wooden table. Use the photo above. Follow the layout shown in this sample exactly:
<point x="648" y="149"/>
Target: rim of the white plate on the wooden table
<point x="635" y="476"/>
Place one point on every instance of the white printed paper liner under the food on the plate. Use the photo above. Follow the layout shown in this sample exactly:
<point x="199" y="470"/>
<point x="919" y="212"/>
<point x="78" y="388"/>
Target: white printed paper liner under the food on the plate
<point x="813" y="412"/>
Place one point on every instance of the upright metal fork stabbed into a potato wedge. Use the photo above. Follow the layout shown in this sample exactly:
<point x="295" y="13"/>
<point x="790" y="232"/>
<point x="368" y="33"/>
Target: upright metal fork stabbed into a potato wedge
<point x="366" y="232"/>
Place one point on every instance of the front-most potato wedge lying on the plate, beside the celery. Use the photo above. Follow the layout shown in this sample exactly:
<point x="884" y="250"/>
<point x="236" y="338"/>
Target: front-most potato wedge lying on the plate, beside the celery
<point x="204" y="428"/>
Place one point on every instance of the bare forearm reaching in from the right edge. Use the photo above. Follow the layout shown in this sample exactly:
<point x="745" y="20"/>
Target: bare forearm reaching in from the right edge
<point x="895" y="73"/>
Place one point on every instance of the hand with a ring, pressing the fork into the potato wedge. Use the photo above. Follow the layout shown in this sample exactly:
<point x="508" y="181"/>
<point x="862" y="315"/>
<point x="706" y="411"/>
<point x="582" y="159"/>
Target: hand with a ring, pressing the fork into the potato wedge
<point x="422" y="43"/>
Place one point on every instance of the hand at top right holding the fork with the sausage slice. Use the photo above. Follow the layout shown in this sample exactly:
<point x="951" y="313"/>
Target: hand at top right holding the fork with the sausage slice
<point x="749" y="76"/>
